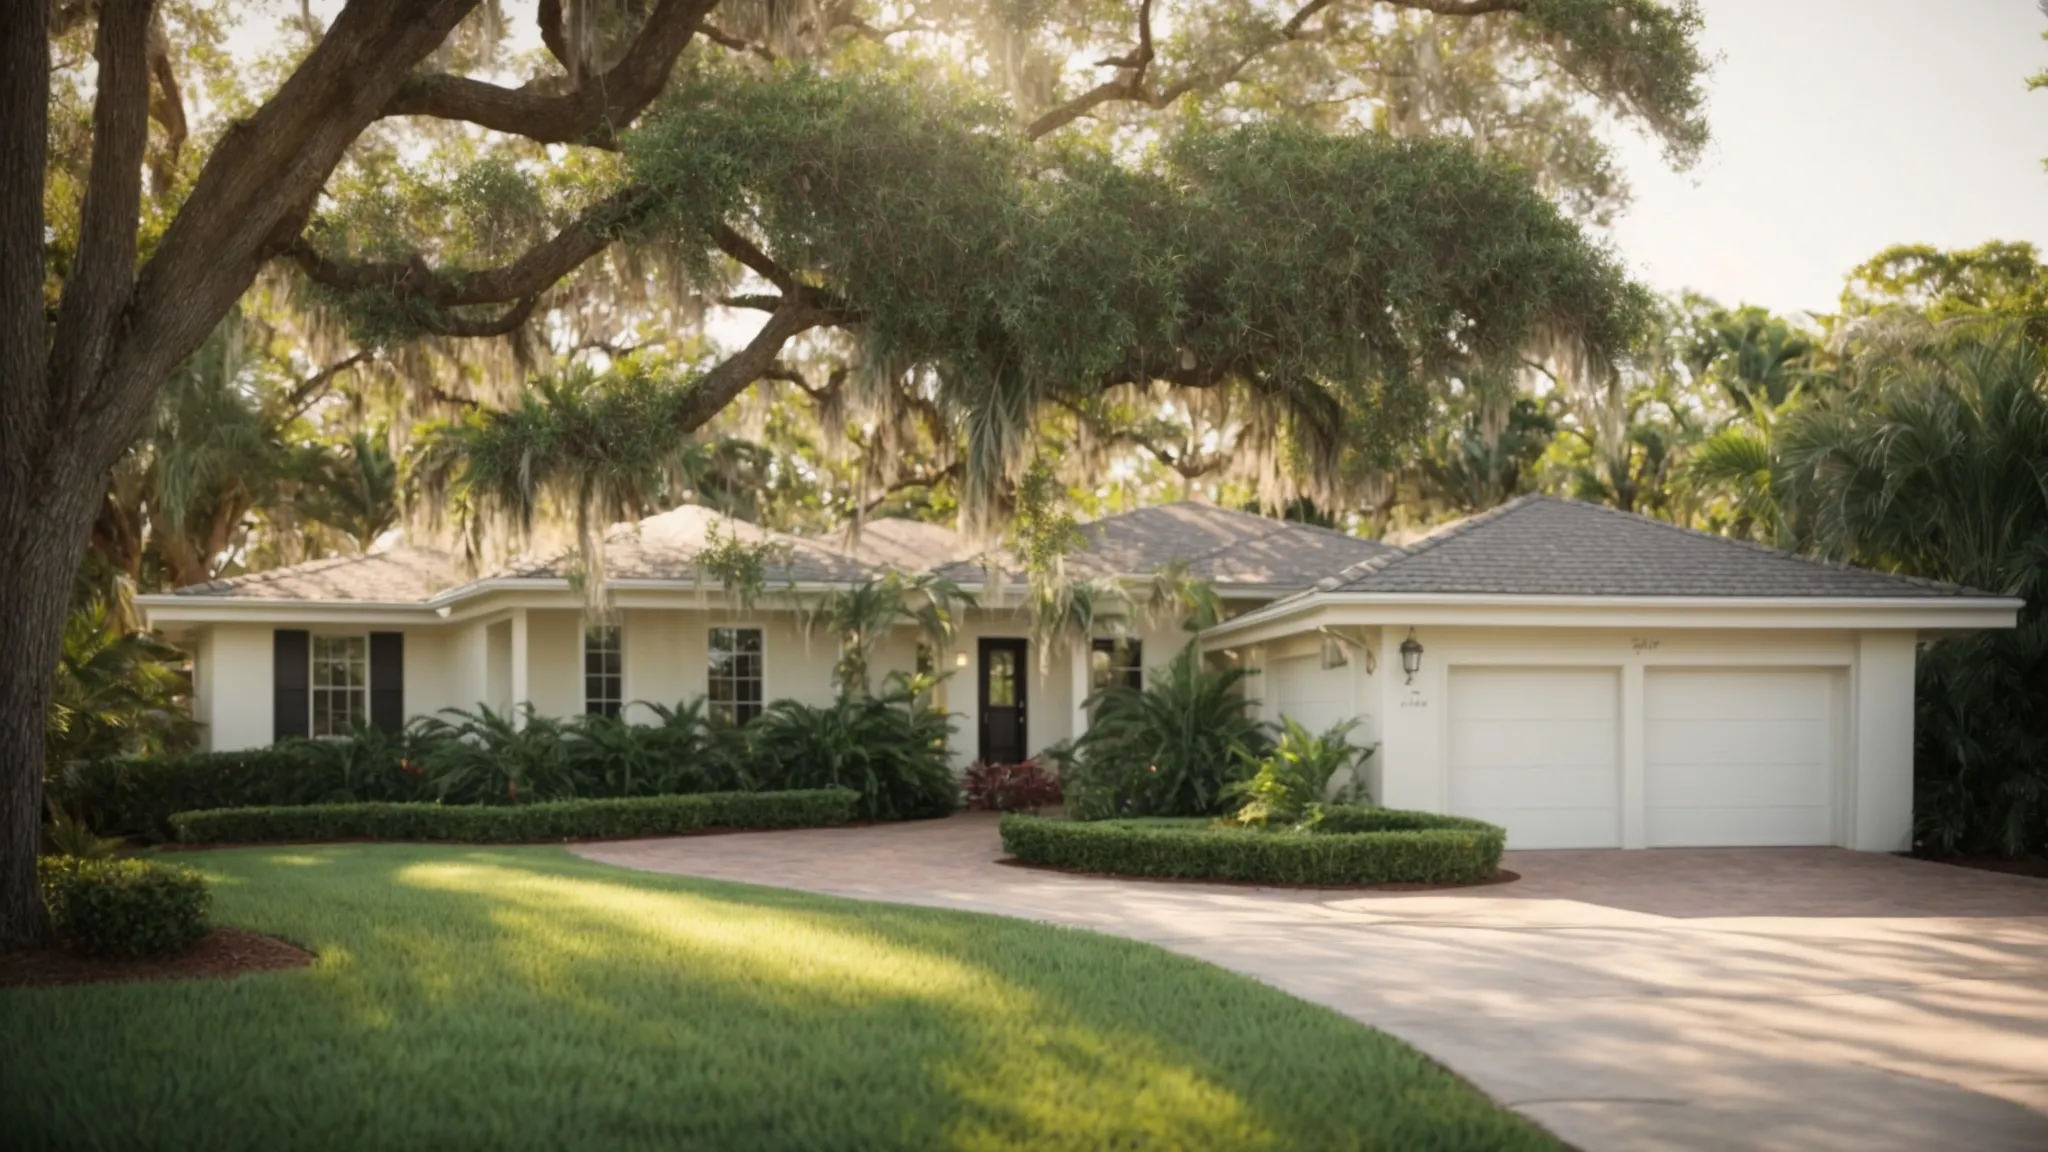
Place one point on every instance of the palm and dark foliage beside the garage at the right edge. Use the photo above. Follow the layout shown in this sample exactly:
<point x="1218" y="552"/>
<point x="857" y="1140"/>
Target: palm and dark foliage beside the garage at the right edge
<point x="1934" y="462"/>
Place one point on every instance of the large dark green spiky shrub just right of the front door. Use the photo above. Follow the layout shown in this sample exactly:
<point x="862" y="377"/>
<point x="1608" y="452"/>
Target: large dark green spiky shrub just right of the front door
<point x="1170" y="749"/>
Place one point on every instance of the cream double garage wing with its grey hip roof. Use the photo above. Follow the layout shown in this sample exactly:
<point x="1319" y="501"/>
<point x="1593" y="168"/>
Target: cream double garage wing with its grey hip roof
<point x="1590" y="677"/>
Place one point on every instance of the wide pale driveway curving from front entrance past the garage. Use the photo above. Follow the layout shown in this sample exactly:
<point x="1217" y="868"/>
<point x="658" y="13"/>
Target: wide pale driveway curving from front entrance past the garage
<point x="1658" y="999"/>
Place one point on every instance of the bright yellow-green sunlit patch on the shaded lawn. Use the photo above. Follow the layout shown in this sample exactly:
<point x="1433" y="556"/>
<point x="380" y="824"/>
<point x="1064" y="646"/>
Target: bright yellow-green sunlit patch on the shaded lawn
<point x="1025" y="1063"/>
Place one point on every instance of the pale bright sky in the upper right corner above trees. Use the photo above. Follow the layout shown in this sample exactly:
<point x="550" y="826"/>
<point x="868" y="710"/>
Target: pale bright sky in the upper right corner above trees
<point x="1840" y="128"/>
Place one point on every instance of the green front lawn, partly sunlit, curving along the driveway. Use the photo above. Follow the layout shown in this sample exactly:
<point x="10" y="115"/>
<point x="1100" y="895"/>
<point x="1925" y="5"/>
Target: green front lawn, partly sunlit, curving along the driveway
<point x="527" y="999"/>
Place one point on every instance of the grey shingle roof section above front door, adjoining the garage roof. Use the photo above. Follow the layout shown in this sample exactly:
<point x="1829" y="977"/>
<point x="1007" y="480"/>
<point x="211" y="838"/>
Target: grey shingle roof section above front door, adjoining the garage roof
<point x="1222" y="546"/>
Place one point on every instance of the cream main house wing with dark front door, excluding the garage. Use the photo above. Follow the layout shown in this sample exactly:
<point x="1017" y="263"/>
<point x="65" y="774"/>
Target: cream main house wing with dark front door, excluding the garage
<point x="388" y="636"/>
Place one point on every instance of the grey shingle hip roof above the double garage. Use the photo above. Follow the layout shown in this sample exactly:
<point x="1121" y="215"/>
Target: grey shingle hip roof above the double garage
<point x="1543" y="546"/>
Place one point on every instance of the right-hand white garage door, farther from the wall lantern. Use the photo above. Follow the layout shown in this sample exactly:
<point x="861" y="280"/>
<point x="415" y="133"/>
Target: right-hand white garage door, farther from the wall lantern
<point x="1738" y="757"/>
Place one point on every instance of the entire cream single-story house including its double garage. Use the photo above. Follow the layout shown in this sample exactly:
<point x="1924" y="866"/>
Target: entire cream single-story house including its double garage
<point x="1580" y="675"/>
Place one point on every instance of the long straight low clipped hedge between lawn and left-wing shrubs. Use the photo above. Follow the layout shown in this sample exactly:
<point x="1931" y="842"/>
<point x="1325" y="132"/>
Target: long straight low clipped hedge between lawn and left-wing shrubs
<point x="495" y="825"/>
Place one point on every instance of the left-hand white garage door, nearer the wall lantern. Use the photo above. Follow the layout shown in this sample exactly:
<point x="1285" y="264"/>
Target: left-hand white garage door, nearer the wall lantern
<point x="1537" y="753"/>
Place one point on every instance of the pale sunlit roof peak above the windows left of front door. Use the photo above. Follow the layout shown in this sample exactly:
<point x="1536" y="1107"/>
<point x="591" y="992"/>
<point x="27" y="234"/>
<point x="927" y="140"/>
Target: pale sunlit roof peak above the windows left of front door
<point x="667" y="546"/>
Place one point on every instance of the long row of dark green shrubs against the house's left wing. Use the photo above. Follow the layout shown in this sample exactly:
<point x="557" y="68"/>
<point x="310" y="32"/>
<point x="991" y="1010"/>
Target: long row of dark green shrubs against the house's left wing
<point x="892" y="749"/>
